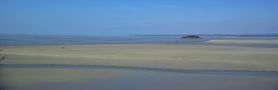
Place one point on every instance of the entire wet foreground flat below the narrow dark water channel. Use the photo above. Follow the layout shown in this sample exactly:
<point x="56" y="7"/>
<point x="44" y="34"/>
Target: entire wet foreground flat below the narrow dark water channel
<point x="107" y="79"/>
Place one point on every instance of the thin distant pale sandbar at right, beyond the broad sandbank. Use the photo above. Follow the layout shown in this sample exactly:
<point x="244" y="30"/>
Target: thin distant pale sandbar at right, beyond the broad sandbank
<point x="244" y="41"/>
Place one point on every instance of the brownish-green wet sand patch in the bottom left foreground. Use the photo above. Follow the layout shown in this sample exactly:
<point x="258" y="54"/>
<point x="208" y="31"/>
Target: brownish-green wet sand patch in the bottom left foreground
<point x="25" y="77"/>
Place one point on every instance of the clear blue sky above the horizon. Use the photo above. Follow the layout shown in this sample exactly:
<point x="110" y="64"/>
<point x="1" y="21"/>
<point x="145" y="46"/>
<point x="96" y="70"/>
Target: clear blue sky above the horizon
<point x="125" y="17"/>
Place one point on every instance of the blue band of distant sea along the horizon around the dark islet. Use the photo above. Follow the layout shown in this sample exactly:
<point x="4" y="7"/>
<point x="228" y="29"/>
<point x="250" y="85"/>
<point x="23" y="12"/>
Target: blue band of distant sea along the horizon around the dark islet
<point x="131" y="39"/>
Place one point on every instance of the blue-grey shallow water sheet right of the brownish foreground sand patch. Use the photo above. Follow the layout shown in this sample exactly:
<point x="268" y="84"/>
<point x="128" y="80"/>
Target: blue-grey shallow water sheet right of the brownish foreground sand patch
<point x="170" y="81"/>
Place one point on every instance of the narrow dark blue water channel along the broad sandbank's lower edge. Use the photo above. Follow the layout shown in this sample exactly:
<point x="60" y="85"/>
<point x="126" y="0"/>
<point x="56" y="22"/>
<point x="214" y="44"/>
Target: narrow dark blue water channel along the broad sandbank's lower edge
<point x="110" y="67"/>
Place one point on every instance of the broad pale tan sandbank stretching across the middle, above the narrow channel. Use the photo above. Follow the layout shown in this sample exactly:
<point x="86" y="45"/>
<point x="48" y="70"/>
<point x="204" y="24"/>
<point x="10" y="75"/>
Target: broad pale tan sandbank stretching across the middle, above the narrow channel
<point x="148" y="55"/>
